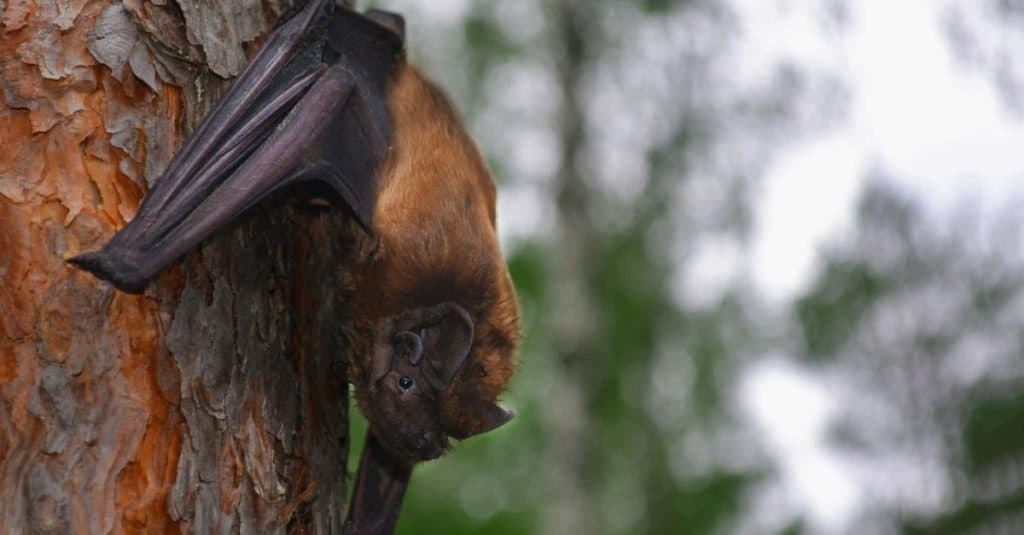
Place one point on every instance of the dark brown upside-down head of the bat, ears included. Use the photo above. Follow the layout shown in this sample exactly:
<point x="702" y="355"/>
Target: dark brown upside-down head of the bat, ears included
<point x="416" y="360"/>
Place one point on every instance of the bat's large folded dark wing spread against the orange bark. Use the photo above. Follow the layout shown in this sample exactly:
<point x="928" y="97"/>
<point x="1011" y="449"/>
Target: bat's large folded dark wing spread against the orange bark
<point x="312" y="106"/>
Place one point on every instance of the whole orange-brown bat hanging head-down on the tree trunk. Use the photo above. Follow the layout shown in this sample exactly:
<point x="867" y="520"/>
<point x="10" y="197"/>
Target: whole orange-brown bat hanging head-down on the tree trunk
<point x="331" y="100"/>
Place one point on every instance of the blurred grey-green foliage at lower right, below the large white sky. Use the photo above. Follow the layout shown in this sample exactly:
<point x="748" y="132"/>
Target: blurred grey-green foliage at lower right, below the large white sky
<point x="923" y="320"/>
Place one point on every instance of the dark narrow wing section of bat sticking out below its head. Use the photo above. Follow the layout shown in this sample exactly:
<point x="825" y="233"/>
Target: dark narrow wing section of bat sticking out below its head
<point x="380" y="487"/>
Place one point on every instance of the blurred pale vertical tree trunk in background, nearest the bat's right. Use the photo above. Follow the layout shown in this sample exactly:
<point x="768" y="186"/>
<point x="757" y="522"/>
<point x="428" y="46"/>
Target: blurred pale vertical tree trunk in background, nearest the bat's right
<point x="570" y="257"/>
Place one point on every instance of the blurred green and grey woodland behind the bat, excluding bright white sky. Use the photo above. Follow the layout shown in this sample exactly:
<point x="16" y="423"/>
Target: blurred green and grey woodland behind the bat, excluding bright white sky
<point x="645" y="386"/>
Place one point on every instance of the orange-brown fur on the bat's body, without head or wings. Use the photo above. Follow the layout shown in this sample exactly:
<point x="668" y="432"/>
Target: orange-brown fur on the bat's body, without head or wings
<point x="435" y="224"/>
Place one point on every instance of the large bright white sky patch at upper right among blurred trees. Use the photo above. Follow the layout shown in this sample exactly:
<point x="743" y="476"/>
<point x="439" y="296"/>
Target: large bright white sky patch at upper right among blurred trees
<point x="935" y="128"/>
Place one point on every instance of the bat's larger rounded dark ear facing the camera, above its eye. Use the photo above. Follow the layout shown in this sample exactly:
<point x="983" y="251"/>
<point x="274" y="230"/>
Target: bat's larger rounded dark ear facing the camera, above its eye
<point x="447" y="342"/>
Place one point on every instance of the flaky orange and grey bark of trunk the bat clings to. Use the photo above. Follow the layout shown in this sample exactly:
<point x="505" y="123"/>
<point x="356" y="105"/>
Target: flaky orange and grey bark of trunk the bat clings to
<point x="218" y="401"/>
